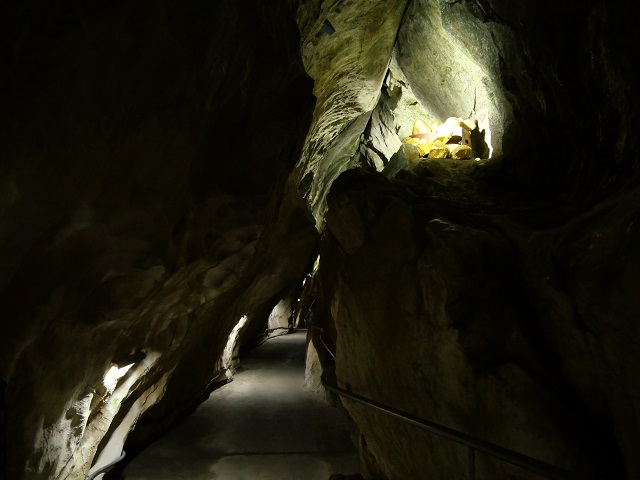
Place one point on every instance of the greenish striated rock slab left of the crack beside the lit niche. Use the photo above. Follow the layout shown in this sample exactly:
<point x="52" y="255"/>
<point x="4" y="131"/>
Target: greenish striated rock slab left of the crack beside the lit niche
<point x="348" y="69"/>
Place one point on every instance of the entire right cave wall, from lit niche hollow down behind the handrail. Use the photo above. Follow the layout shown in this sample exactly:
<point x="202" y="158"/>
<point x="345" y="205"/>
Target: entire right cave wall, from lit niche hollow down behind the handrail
<point x="494" y="296"/>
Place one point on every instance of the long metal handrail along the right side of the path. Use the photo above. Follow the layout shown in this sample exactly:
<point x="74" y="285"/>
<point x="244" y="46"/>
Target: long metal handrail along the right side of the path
<point x="473" y="443"/>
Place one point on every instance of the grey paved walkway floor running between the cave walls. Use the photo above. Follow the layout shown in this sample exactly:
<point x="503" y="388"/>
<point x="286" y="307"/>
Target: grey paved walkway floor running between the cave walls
<point x="263" y="425"/>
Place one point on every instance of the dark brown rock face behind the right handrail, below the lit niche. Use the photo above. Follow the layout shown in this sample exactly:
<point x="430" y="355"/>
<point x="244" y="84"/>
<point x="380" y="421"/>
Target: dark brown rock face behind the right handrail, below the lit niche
<point x="490" y="323"/>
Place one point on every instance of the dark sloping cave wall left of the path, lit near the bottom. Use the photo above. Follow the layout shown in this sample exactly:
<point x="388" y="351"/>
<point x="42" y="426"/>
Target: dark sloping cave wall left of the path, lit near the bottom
<point x="131" y="216"/>
